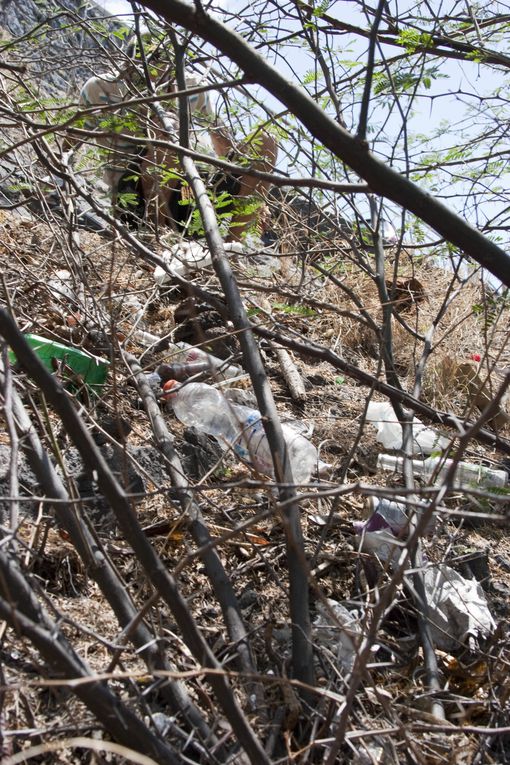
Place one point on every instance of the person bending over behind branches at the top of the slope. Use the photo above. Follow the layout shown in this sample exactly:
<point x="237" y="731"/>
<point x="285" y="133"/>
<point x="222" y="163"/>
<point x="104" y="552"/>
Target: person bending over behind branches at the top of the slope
<point x="144" y="179"/>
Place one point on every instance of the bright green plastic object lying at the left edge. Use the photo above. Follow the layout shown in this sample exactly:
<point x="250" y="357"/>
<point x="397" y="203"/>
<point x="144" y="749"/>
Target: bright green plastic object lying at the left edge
<point x="91" y="369"/>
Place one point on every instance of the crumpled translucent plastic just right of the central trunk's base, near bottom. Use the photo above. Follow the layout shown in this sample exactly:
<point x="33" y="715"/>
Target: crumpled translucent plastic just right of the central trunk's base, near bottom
<point x="339" y="630"/>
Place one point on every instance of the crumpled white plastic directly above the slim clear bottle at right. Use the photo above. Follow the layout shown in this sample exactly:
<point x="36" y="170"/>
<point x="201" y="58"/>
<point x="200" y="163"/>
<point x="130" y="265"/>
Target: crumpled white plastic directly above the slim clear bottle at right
<point x="389" y="430"/>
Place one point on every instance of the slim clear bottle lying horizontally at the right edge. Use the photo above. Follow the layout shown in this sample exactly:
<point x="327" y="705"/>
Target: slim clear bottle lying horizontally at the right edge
<point x="435" y="468"/>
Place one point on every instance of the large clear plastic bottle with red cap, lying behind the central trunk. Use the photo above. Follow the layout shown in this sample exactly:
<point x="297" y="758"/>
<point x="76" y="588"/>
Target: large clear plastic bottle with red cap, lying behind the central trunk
<point x="201" y="406"/>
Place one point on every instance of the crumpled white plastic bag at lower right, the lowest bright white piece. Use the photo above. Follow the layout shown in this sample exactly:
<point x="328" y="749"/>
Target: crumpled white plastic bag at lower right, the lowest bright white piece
<point x="457" y="607"/>
